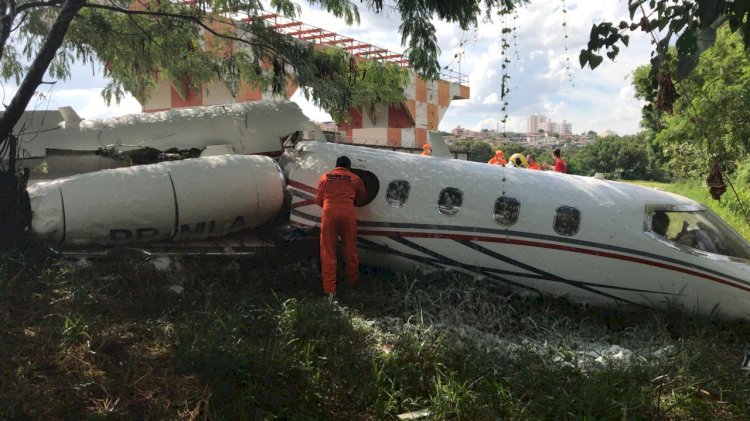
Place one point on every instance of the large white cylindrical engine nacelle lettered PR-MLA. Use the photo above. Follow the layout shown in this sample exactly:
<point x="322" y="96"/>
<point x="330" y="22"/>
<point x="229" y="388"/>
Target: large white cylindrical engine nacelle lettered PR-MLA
<point x="169" y="201"/>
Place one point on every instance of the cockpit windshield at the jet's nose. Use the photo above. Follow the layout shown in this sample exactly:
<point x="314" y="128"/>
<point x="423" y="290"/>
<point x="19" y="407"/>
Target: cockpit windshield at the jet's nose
<point x="699" y="230"/>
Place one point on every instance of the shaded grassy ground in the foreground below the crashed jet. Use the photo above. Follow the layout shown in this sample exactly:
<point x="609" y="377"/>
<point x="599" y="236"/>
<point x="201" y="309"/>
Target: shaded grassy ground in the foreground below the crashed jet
<point x="228" y="339"/>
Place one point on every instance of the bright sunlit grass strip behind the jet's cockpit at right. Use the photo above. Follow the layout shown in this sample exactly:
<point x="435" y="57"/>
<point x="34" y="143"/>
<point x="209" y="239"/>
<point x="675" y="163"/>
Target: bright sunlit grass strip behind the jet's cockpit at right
<point x="727" y="208"/>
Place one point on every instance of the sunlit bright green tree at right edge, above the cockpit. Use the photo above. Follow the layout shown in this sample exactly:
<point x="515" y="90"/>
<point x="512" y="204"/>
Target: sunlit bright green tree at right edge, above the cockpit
<point x="711" y="118"/>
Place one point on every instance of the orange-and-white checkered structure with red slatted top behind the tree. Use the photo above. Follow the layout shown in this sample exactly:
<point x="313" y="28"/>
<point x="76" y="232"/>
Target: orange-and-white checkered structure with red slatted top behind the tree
<point x="405" y="125"/>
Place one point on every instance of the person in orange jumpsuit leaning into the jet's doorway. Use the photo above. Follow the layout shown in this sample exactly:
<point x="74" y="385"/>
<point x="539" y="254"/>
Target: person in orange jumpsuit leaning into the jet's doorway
<point x="337" y="192"/>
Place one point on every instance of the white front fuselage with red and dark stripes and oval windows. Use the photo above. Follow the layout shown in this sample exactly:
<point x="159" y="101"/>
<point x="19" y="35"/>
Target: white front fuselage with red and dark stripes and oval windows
<point x="607" y="257"/>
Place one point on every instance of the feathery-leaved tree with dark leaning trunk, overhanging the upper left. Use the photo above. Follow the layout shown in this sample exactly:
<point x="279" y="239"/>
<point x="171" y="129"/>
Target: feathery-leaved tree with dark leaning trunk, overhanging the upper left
<point x="190" y="44"/>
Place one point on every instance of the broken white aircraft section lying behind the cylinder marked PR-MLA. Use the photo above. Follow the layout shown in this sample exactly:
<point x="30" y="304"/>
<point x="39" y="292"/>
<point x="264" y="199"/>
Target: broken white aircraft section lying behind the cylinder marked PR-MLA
<point x="247" y="128"/>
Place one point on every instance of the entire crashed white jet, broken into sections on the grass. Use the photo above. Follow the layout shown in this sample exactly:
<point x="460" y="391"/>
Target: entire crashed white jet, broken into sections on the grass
<point x="594" y="241"/>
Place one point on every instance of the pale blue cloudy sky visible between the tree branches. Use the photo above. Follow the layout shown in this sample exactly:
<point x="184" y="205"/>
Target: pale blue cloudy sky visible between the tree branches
<point x="540" y="80"/>
